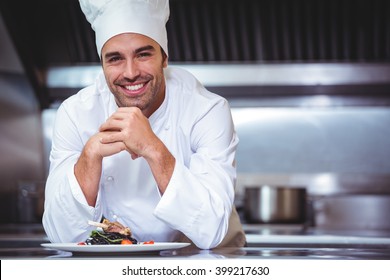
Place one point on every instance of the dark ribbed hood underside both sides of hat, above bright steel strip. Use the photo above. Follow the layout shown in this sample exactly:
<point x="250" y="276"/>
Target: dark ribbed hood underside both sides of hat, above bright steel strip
<point x="50" y="33"/>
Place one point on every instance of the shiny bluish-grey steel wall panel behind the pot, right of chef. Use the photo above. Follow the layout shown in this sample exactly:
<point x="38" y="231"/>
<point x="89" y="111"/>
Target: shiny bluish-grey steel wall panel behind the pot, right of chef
<point x="330" y="150"/>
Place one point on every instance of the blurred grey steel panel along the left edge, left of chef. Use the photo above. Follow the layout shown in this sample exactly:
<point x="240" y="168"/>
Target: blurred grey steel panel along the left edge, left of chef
<point x="21" y="157"/>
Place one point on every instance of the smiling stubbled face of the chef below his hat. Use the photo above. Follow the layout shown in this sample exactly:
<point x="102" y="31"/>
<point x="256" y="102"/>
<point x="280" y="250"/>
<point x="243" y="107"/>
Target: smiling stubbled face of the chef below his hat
<point x="133" y="67"/>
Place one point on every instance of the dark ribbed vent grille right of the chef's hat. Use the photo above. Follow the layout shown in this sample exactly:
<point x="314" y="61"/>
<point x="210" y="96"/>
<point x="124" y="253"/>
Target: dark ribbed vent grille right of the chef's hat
<point x="280" y="30"/>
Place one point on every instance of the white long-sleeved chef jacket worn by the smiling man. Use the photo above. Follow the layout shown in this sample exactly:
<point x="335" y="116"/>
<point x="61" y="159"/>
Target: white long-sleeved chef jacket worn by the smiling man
<point x="197" y="128"/>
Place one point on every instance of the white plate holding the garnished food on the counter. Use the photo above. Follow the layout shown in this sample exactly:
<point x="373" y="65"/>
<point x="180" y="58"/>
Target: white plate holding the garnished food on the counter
<point x="73" y="247"/>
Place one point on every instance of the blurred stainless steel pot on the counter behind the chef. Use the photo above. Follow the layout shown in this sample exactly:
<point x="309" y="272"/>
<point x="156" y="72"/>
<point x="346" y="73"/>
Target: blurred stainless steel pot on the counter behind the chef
<point x="275" y="204"/>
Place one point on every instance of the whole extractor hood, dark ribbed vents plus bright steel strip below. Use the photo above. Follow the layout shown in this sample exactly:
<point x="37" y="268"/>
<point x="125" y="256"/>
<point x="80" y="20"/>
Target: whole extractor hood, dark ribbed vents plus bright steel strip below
<point x="274" y="38"/>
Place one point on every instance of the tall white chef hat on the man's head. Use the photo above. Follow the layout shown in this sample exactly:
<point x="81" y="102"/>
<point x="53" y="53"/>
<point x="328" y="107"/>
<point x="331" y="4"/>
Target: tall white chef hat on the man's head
<point x="112" y="17"/>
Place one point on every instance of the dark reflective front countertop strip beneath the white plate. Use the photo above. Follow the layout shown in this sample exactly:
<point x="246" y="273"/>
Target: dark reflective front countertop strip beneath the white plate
<point x="247" y="252"/>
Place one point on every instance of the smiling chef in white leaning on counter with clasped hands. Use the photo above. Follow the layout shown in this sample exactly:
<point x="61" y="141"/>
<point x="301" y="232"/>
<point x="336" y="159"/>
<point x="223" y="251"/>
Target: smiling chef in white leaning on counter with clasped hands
<point x="146" y="145"/>
